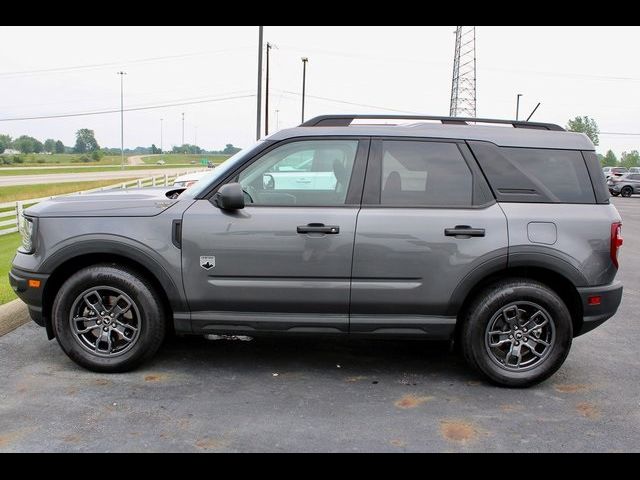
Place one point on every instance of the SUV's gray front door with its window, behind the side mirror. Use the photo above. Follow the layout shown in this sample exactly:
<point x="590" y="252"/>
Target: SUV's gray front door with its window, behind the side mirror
<point x="283" y="263"/>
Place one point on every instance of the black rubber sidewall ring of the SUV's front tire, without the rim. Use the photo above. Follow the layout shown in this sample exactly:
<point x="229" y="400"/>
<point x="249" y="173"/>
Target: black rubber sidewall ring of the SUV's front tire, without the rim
<point x="151" y="317"/>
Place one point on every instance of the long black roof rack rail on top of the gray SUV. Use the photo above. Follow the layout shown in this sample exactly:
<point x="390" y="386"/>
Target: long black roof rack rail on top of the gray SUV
<point x="345" y="121"/>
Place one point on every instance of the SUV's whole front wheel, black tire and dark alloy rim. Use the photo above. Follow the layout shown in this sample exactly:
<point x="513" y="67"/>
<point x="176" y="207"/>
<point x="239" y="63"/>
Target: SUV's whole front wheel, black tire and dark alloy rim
<point x="121" y="345"/>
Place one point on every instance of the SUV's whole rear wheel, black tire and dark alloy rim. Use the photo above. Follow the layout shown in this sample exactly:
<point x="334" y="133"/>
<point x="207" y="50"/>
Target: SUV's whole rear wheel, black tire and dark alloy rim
<point x="489" y="312"/>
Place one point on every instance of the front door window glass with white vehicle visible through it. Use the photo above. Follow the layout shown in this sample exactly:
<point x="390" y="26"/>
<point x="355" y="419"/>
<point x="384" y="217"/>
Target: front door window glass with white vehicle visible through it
<point x="314" y="172"/>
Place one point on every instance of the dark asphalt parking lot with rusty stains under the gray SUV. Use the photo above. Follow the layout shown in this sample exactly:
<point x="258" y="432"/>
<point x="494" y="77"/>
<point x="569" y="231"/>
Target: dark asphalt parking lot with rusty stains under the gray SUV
<point x="283" y="394"/>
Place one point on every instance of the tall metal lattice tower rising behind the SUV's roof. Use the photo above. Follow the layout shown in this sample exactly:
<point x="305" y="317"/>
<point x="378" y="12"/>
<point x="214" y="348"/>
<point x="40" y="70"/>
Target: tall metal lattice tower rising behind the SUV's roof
<point x="463" y="85"/>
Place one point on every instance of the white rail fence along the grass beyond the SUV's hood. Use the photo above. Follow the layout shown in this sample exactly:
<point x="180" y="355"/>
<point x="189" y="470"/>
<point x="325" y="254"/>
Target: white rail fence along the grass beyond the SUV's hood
<point x="9" y="217"/>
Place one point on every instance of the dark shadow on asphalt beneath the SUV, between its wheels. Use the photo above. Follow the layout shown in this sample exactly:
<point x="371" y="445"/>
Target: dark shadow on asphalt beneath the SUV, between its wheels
<point x="320" y="355"/>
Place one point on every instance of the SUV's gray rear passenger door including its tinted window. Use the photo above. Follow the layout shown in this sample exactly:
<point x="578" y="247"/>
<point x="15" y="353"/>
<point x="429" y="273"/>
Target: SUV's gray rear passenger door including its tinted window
<point x="428" y="223"/>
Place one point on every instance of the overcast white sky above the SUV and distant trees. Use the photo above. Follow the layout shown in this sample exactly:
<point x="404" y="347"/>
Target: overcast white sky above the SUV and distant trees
<point x="48" y="71"/>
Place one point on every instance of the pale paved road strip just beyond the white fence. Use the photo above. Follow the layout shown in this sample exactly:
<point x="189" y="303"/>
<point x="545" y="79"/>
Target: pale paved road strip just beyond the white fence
<point x="80" y="177"/>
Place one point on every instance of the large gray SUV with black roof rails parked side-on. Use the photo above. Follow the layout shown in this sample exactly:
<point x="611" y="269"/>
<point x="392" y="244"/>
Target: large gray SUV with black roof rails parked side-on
<point x="496" y="235"/>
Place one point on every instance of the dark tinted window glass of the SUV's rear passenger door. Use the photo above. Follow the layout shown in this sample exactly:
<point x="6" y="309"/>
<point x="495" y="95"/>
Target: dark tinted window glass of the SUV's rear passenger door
<point x="424" y="173"/>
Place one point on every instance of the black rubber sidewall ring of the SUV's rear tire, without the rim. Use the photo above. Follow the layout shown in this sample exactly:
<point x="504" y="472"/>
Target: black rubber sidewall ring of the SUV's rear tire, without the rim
<point x="492" y="303"/>
